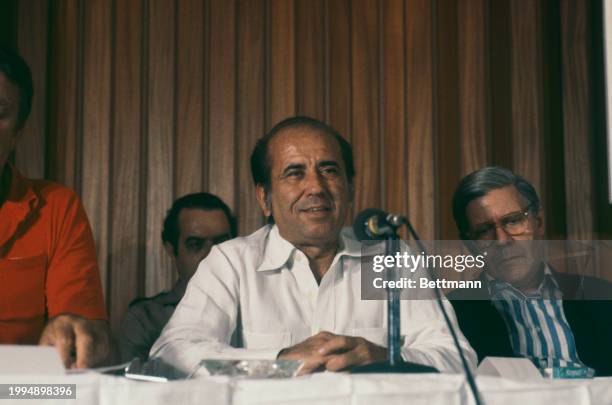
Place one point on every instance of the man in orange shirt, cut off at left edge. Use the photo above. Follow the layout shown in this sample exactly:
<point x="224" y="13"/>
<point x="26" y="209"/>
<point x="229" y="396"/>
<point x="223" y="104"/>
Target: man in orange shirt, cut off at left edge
<point x="50" y="290"/>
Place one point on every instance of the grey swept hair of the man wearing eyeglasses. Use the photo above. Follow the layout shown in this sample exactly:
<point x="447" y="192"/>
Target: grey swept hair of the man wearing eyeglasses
<point x="479" y="183"/>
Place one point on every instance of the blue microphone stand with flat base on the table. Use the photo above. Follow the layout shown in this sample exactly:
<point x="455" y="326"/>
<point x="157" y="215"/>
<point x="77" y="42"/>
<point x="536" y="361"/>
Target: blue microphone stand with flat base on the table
<point x="394" y="363"/>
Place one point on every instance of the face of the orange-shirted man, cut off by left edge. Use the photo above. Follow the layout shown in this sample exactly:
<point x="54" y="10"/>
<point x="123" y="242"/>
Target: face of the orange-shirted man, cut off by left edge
<point x="9" y="112"/>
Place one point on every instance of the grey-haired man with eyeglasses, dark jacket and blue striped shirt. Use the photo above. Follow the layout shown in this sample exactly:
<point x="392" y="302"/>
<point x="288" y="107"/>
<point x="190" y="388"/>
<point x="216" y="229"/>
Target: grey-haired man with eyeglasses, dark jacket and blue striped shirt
<point x="524" y="308"/>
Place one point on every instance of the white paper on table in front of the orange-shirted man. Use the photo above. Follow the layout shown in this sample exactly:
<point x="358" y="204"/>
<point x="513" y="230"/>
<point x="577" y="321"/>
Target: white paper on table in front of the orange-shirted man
<point x="22" y="359"/>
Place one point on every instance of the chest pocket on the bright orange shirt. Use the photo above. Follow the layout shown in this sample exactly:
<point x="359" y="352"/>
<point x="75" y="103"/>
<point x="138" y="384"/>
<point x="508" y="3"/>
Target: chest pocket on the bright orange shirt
<point x="22" y="287"/>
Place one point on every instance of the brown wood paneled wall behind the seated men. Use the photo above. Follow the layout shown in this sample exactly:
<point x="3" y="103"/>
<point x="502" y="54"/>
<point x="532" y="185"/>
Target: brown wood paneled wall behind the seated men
<point x="141" y="101"/>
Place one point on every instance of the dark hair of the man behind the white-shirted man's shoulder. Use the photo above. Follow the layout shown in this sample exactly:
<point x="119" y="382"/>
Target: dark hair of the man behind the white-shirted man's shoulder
<point x="203" y="201"/>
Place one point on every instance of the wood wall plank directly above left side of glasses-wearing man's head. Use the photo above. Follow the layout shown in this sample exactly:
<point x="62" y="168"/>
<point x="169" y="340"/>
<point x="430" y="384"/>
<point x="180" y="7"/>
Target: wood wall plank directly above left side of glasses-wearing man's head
<point x="473" y="84"/>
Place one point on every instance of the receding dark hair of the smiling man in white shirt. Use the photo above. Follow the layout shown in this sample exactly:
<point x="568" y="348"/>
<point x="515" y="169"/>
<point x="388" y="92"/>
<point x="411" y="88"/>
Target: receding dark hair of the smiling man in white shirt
<point x="260" y="161"/>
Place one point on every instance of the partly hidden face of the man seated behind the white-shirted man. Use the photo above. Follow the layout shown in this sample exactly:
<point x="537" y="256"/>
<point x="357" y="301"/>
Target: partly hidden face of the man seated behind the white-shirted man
<point x="199" y="230"/>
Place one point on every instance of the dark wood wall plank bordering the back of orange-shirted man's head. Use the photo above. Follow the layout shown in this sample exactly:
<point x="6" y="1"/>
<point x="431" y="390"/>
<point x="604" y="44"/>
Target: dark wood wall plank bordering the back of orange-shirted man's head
<point x="32" y="44"/>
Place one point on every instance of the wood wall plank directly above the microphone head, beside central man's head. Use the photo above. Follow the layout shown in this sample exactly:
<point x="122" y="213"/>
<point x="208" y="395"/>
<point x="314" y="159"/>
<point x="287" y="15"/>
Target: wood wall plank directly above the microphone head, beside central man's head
<point x="366" y="137"/>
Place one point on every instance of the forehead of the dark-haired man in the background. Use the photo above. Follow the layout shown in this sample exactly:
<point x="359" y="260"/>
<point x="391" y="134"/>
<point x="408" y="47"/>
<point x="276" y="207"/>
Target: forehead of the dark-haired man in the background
<point x="202" y="223"/>
